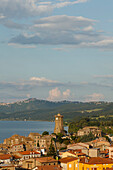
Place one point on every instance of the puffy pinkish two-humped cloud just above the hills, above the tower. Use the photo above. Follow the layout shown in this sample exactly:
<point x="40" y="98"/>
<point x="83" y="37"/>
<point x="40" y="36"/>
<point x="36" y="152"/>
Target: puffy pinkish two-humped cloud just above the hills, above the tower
<point x="56" y="95"/>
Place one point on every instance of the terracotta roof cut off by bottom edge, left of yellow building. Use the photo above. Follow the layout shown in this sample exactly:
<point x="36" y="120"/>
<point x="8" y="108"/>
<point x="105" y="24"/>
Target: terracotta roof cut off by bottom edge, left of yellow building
<point x="50" y="167"/>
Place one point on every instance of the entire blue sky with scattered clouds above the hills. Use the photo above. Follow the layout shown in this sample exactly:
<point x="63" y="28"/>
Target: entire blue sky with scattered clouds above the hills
<point x="56" y="50"/>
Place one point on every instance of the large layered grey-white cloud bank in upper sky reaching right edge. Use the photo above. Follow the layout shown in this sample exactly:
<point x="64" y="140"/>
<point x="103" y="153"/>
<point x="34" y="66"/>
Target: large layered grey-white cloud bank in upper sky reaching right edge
<point x="69" y="31"/>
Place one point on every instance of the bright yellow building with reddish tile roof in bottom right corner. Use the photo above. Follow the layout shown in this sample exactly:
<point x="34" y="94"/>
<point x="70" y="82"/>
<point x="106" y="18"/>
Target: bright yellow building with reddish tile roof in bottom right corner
<point x="90" y="164"/>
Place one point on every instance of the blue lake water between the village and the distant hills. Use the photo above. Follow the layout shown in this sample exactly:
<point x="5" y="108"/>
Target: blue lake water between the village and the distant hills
<point x="23" y="128"/>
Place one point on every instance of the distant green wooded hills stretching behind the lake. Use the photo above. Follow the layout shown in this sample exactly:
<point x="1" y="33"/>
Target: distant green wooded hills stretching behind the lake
<point x="34" y="109"/>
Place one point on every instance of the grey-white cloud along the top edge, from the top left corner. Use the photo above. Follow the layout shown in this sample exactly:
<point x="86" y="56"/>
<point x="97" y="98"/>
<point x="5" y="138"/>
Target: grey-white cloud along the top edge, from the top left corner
<point x="27" y="8"/>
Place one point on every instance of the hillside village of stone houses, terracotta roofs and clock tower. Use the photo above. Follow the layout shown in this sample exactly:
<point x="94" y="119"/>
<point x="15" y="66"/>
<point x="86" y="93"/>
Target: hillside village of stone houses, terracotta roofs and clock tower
<point x="57" y="151"/>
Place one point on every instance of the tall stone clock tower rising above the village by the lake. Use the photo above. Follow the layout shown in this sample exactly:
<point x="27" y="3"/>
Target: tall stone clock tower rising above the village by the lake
<point x="59" y="124"/>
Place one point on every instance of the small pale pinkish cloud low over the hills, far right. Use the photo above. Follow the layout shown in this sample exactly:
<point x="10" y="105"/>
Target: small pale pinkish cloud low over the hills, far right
<point x="94" y="97"/>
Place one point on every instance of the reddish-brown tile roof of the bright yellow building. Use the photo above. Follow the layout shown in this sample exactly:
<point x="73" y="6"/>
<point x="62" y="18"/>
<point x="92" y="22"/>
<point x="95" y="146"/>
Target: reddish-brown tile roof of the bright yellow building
<point x="96" y="160"/>
